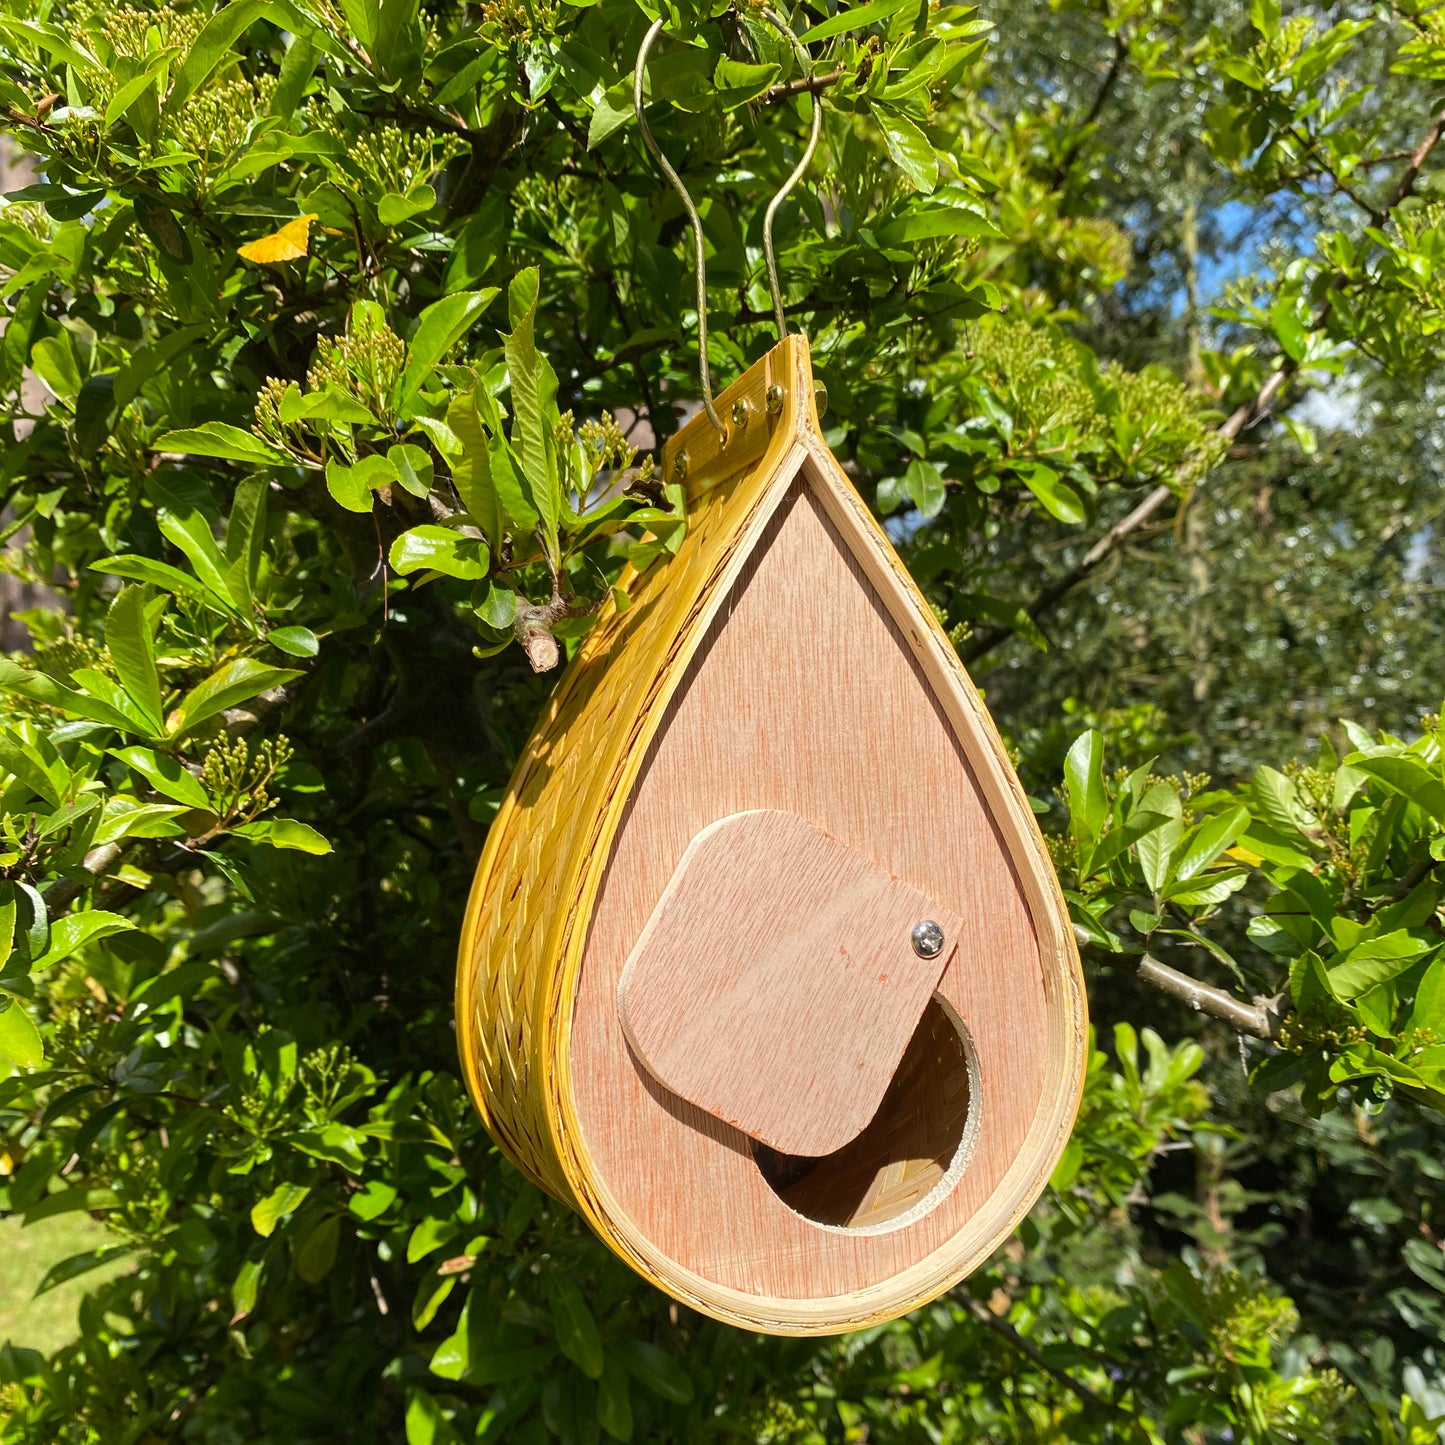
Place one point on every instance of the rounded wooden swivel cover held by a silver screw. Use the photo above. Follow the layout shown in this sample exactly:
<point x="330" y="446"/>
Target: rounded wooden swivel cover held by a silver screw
<point x="777" y="985"/>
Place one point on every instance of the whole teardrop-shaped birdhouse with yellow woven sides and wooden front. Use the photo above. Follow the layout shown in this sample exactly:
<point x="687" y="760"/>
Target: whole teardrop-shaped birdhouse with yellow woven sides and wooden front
<point x="767" y="970"/>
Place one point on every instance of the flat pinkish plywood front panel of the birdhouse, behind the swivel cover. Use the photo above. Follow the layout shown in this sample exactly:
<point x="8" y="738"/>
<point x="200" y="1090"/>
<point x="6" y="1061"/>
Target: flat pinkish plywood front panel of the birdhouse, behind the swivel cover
<point x="807" y="699"/>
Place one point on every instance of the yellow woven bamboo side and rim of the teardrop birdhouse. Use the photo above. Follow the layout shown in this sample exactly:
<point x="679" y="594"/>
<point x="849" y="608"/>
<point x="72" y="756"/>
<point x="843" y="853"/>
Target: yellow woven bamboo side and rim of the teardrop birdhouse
<point x="547" y="853"/>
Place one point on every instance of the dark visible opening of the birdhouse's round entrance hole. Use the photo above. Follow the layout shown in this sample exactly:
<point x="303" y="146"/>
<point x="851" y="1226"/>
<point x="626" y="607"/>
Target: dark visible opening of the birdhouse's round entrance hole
<point x="911" y="1144"/>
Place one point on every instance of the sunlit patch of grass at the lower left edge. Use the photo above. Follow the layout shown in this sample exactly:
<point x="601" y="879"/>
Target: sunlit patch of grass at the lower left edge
<point x="28" y="1254"/>
